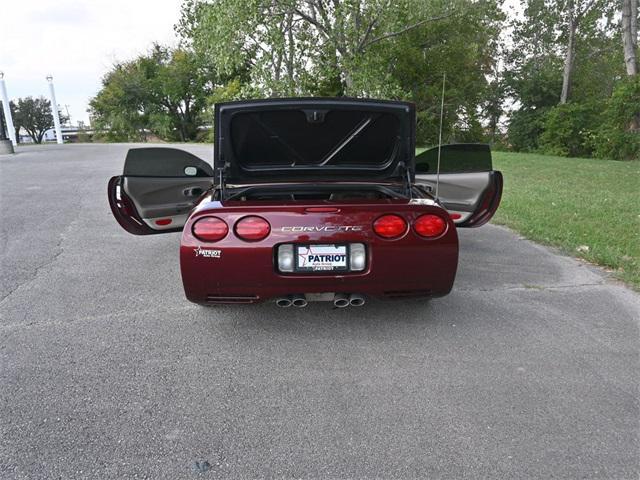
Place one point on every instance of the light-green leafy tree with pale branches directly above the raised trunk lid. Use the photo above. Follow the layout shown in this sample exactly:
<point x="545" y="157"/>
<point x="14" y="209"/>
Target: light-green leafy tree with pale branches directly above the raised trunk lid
<point x="285" y="40"/>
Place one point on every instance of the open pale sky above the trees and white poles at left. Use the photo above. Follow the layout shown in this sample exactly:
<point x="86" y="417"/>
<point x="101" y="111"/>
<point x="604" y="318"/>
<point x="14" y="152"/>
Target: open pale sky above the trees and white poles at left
<point x="76" y="42"/>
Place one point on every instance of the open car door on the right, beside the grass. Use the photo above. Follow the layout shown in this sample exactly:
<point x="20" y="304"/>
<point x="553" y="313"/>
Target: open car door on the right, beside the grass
<point x="469" y="187"/>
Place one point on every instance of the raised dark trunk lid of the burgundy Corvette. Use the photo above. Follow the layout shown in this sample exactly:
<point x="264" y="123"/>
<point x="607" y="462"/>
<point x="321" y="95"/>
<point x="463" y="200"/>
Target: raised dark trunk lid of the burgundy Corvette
<point x="307" y="139"/>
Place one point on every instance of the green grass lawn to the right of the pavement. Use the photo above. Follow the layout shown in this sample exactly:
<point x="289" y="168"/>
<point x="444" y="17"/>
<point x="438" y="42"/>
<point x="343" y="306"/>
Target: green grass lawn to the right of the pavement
<point x="588" y="208"/>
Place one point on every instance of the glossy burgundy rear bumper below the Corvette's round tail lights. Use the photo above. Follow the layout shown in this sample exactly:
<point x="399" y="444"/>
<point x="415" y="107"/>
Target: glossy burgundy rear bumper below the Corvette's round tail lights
<point x="247" y="273"/>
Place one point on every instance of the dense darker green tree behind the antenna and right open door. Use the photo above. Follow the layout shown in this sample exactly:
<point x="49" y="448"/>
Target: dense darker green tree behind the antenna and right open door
<point x="411" y="67"/>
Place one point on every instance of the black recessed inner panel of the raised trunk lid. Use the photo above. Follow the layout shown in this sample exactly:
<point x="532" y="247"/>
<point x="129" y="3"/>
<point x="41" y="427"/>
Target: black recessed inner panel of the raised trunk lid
<point x="313" y="138"/>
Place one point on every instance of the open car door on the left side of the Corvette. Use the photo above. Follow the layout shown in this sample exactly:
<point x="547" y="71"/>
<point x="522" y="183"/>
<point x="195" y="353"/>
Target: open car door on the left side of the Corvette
<point x="158" y="189"/>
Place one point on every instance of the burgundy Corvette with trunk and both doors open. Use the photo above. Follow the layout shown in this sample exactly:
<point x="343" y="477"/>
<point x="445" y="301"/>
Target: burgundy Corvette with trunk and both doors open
<point x="310" y="200"/>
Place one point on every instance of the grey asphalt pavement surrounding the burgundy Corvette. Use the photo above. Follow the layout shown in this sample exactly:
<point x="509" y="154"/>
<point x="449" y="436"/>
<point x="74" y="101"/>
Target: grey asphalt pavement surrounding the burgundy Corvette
<point x="528" y="369"/>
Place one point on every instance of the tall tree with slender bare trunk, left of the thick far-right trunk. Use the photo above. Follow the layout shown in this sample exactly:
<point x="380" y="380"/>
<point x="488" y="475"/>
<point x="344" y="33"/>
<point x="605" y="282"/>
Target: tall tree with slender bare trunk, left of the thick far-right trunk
<point x="544" y="73"/>
